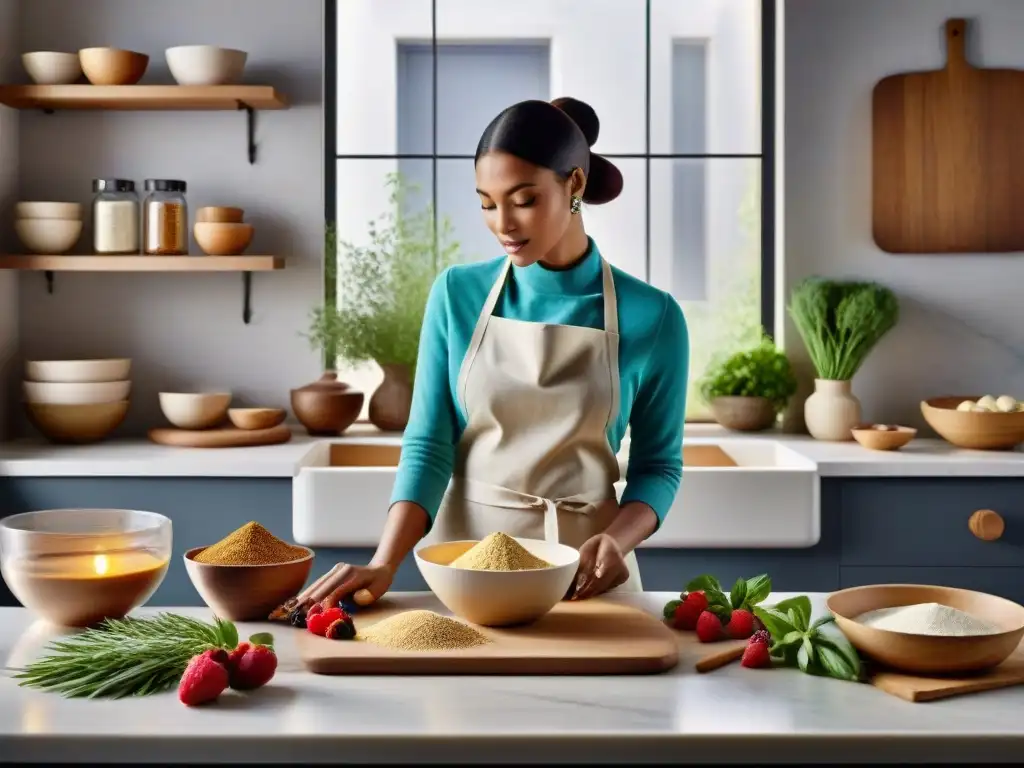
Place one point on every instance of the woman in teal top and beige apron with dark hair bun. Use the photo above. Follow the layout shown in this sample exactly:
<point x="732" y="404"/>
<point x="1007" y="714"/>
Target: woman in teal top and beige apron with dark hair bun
<point x="531" y="368"/>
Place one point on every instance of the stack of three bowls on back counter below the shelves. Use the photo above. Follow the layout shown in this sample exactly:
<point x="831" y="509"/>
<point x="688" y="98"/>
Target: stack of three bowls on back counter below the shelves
<point x="77" y="401"/>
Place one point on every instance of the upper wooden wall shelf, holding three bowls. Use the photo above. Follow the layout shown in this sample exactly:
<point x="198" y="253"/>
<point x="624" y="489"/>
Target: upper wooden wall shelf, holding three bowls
<point x="184" y="98"/>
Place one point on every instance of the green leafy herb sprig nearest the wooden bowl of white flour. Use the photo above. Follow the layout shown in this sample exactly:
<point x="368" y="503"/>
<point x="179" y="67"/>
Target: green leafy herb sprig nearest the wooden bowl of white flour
<point x="810" y="647"/>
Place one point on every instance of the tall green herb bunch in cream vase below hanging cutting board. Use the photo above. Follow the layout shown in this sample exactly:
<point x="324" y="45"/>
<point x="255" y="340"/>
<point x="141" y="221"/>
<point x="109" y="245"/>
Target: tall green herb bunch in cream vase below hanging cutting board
<point x="841" y="322"/>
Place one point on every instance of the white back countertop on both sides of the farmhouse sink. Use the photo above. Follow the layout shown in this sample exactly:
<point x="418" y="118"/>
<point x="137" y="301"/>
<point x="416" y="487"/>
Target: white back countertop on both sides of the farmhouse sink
<point x="924" y="457"/>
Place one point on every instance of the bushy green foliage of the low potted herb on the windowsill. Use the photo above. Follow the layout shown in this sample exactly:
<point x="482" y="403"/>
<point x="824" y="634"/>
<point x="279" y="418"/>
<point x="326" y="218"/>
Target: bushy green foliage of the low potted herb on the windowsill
<point x="763" y="371"/>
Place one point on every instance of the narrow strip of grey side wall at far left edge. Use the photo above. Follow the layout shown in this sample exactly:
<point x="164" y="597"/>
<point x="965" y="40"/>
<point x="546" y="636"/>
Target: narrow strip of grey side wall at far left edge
<point x="9" y="194"/>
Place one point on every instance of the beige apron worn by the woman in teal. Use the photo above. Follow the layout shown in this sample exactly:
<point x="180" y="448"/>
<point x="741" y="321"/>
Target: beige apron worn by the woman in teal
<point x="535" y="460"/>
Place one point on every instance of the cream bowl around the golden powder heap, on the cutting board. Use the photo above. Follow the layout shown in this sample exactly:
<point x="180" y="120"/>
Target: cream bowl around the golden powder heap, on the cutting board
<point x="499" y="599"/>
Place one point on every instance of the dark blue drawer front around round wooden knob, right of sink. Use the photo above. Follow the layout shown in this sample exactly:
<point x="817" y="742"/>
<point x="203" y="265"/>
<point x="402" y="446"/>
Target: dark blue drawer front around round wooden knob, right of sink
<point x="924" y="522"/>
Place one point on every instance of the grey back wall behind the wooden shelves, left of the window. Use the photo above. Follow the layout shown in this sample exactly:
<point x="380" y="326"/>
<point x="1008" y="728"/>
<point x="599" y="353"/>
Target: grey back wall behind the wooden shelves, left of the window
<point x="185" y="331"/>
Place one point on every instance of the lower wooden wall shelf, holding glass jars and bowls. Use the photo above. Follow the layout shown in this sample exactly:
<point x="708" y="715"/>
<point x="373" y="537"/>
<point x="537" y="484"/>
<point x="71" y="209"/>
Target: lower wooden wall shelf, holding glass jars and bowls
<point x="133" y="264"/>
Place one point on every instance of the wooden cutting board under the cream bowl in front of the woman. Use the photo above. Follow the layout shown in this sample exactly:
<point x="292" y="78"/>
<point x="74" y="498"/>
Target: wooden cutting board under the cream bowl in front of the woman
<point x="589" y="637"/>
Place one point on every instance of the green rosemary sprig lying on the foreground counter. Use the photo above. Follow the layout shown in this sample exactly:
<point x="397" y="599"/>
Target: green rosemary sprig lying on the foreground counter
<point x="126" y="657"/>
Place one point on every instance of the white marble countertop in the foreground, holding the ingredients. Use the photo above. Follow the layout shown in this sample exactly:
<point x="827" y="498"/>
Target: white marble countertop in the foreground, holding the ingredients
<point x="731" y="715"/>
